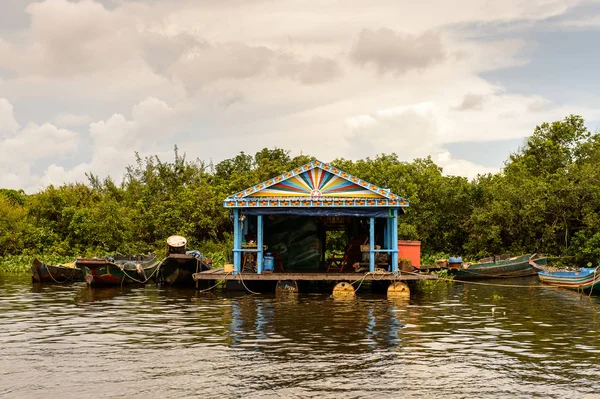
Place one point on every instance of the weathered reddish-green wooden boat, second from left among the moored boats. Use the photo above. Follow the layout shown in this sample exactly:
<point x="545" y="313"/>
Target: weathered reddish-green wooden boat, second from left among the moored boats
<point x="118" y="270"/>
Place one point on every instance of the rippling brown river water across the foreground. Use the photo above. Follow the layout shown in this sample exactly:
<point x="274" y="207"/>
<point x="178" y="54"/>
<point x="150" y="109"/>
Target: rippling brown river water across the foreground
<point x="462" y="341"/>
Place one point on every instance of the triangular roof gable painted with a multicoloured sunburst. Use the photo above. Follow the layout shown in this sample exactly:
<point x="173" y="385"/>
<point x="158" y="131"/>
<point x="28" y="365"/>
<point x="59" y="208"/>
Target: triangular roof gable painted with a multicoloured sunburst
<point x="315" y="184"/>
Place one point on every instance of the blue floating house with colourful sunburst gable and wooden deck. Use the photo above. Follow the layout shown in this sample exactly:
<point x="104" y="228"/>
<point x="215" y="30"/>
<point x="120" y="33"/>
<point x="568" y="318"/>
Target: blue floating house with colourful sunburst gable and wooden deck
<point x="282" y="229"/>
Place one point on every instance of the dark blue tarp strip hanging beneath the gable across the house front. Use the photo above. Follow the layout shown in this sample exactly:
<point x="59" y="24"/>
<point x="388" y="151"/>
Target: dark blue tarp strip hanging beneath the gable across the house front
<point x="356" y="212"/>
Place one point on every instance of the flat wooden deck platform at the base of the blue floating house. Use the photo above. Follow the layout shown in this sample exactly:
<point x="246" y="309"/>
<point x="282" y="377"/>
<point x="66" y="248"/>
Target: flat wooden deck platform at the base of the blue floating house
<point x="219" y="274"/>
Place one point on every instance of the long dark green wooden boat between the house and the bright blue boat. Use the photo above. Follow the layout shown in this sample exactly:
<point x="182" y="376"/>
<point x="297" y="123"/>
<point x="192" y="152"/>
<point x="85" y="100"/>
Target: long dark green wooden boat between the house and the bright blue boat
<point x="499" y="267"/>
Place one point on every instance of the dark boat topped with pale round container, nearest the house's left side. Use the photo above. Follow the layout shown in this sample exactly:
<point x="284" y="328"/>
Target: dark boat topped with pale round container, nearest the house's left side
<point x="179" y="265"/>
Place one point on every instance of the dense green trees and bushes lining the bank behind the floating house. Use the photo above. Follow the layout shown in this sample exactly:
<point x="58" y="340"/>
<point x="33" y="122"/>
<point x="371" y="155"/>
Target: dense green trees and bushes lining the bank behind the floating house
<point x="546" y="199"/>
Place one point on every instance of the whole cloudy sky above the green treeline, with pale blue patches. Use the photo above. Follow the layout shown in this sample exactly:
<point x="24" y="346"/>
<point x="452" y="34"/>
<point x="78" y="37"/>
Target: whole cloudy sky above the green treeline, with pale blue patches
<point x="85" y="84"/>
